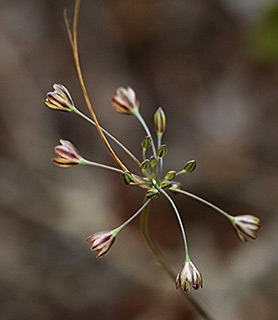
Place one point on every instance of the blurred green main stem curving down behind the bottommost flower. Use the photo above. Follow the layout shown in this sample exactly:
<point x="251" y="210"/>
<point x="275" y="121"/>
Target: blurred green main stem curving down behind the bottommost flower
<point x="160" y="259"/>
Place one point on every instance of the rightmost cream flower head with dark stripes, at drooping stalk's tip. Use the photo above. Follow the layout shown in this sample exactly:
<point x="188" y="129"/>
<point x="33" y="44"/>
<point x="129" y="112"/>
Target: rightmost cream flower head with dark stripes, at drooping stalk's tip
<point x="245" y="226"/>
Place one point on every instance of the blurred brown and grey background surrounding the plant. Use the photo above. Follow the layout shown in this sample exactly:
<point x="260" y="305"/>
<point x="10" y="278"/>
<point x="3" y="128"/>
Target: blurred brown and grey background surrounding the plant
<point x="212" y="65"/>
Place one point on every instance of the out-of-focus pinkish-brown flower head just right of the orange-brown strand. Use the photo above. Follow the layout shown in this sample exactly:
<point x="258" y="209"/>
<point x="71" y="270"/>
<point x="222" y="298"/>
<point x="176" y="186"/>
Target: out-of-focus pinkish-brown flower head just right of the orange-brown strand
<point x="125" y="101"/>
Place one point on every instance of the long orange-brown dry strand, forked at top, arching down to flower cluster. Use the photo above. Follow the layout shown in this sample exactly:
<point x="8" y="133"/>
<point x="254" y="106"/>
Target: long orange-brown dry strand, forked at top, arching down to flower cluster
<point x="73" y="41"/>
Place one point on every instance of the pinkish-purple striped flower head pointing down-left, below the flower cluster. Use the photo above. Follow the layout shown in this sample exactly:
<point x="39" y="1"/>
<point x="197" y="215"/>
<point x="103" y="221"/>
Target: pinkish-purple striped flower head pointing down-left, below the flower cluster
<point x="101" y="242"/>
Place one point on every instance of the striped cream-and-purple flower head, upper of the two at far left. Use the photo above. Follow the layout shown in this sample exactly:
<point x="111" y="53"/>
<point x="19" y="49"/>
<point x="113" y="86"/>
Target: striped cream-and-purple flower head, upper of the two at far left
<point x="60" y="99"/>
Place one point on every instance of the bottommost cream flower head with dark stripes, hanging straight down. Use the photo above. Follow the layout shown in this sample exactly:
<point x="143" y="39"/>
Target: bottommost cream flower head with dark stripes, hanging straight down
<point x="189" y="276"/>
